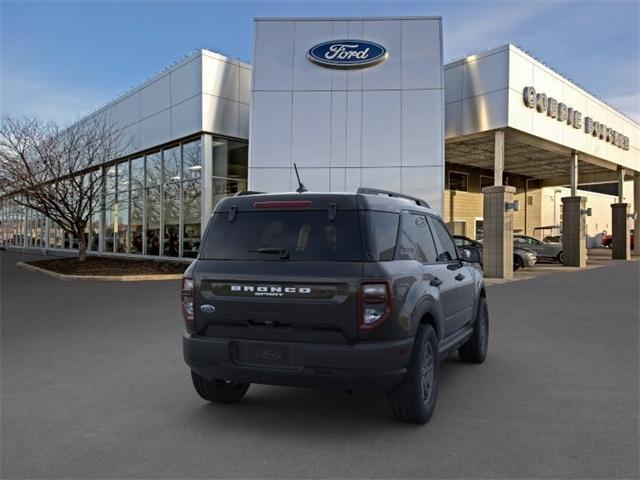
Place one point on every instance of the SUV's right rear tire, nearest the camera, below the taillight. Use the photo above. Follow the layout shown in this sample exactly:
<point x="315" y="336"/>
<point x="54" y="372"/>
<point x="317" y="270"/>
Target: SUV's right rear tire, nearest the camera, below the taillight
<point x="415" y="399"/>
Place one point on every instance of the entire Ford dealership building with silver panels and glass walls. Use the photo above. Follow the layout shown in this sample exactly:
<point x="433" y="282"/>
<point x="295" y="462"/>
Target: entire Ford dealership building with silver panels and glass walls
<point x="497" y="142"/>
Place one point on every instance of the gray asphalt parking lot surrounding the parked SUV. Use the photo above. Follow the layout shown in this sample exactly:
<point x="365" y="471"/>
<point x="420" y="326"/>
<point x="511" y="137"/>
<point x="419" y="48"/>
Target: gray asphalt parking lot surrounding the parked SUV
<point x="94" y="386"/>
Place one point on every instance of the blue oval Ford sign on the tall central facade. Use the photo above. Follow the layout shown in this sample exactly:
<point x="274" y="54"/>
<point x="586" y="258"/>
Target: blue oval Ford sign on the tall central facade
<point x="347" y="54"/>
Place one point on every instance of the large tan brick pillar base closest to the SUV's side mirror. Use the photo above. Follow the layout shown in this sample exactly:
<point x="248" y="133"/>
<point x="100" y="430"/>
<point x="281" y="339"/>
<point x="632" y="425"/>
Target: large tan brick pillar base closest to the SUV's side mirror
<point x="498" y="232"/>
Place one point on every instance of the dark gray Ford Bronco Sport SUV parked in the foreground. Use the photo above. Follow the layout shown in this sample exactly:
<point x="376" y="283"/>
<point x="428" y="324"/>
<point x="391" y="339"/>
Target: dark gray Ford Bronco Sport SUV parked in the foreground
<point x="331" y="290"/>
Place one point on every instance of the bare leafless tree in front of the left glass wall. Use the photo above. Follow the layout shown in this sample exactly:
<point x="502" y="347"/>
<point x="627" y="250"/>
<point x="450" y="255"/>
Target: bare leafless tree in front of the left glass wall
<point x="56" y="171"/>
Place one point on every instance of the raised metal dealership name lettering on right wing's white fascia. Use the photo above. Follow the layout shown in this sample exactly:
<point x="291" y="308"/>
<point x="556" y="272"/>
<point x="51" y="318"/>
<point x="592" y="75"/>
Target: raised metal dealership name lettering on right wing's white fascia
<point x="570" y="116"/>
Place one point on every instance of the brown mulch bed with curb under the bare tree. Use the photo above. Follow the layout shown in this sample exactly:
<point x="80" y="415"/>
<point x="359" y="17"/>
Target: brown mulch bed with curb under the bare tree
<point x="105" y="266"/>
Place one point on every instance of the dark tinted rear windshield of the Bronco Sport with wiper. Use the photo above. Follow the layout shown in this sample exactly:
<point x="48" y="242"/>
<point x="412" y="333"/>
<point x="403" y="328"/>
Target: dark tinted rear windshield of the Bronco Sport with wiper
<point x="284" y="235"/>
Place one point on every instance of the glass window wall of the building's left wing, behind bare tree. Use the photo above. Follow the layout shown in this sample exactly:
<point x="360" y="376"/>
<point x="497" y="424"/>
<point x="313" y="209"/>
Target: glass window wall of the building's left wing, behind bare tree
<point x="150" y="204"/>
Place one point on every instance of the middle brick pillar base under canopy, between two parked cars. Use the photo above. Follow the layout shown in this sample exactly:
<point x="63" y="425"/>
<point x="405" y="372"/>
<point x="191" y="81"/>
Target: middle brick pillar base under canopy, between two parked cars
<point x="574" y="225"/>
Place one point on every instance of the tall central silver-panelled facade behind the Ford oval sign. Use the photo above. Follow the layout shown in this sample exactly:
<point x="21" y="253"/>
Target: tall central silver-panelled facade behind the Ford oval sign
<point x="379" y="125"/>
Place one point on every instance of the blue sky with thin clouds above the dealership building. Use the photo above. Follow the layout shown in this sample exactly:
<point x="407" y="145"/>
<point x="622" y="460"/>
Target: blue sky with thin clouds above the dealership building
<point x="61" y="59"/>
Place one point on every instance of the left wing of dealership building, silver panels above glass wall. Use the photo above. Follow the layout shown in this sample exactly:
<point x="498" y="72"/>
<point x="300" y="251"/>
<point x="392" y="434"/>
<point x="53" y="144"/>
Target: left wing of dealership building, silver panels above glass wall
<point x="186" y="147"/>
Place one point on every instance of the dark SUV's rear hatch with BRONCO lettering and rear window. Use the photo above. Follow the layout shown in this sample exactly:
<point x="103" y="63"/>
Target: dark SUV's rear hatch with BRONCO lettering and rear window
<point x="281" y="268"/>
